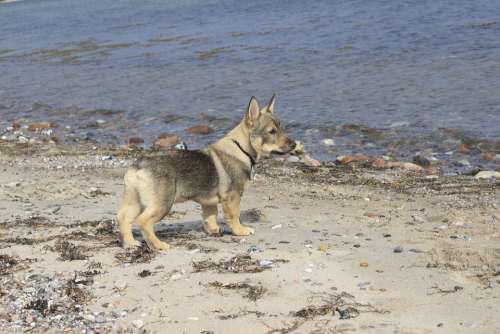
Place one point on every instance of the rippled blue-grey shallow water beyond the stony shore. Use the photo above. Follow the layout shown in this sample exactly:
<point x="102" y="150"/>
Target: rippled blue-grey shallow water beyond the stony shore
<point x="409" y="68"/>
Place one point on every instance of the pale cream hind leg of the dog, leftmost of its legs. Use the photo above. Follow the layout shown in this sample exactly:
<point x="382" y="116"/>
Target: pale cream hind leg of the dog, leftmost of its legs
<point x="128" y="212"/>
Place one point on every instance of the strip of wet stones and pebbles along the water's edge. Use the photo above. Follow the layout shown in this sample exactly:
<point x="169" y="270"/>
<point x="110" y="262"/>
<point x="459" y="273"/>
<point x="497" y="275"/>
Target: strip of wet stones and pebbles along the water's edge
<point x="451" y="151"/>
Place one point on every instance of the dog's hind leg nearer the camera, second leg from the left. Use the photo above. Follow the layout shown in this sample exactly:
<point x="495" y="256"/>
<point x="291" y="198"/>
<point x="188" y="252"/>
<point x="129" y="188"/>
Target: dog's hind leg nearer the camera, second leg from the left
<point x="157" y="199"/>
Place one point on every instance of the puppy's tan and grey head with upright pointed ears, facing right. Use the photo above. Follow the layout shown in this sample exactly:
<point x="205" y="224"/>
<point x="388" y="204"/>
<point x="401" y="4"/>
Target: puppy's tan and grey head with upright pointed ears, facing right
<point x="266" y="134"/>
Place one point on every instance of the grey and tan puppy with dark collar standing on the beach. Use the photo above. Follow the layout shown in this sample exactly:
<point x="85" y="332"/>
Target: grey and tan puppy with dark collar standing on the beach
<point x="214" y="175"/>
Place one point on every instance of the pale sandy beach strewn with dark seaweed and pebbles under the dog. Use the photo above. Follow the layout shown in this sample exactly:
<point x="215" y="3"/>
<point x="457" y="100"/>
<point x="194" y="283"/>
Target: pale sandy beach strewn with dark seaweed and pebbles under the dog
<point x="337" y="249"/>
